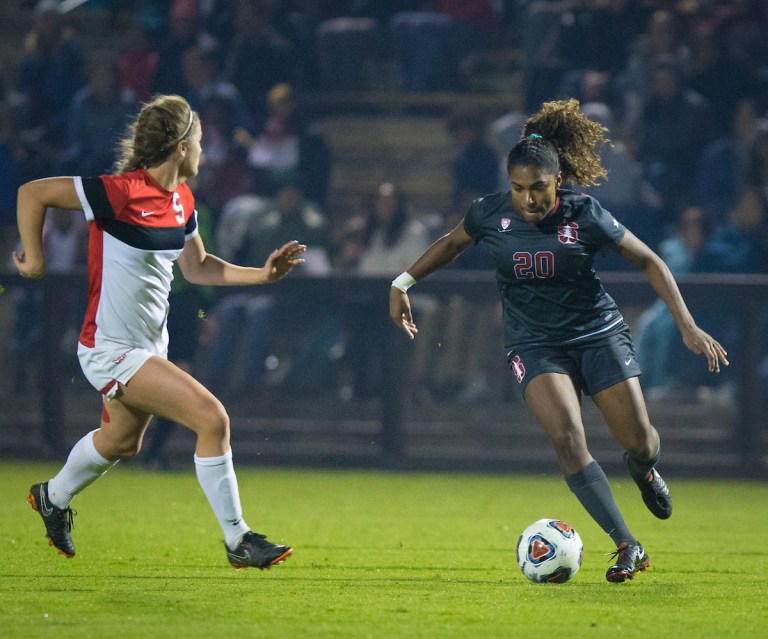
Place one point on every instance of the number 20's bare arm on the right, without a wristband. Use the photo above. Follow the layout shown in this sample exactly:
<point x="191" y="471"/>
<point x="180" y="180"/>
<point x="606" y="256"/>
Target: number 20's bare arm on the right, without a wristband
<point x="663" y="282"/>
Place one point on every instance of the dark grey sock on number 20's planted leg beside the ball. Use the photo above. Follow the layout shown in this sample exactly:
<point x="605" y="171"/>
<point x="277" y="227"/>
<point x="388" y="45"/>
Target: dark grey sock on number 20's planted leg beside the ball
<point x="591" y="487"/>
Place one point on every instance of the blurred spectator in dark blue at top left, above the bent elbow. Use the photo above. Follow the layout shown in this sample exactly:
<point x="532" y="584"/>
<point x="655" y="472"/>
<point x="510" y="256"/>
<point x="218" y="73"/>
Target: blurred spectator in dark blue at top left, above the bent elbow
<point x="50" y="72"/>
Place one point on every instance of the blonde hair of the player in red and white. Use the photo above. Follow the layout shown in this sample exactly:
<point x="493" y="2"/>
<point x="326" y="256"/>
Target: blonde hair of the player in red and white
<point x="153" y="135"/>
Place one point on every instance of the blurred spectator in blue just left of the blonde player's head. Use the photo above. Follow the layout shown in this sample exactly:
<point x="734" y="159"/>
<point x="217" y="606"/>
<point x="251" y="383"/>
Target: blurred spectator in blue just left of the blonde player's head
<point x="98" y="117"/>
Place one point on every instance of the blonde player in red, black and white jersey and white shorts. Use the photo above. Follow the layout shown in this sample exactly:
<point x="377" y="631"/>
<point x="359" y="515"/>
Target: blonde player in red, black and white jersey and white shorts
<point x="142" y="219"/>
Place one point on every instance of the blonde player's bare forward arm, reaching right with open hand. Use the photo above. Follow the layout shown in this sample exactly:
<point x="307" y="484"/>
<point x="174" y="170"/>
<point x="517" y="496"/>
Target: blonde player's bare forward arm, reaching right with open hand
<point x="200" y="267"/>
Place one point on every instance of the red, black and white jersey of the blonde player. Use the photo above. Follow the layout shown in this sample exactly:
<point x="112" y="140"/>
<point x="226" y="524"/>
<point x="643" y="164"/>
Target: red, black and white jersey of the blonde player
<point x="137" y="230"/>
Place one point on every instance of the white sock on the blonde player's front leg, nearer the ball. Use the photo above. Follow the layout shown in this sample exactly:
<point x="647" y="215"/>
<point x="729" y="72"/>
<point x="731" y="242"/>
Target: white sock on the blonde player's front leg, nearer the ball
<point x="219" y="483"/>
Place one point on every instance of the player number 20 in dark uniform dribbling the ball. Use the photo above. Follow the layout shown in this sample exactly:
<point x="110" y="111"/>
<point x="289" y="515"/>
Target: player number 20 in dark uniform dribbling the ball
<point x="564" y="334"/>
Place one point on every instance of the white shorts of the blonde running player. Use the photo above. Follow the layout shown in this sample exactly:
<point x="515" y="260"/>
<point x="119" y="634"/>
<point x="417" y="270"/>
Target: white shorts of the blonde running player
<point x="104" y="367"/>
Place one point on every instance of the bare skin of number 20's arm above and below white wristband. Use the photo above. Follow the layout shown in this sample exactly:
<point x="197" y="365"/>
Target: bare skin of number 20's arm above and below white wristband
<point x="442" y="252"/>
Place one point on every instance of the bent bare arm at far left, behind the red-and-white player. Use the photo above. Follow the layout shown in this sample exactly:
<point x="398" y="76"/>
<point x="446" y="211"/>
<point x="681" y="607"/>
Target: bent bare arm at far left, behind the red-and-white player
<point x="34" y="198"/>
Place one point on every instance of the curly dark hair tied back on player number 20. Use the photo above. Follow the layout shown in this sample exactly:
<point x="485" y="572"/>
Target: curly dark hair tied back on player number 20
<point x="561" y="138"/>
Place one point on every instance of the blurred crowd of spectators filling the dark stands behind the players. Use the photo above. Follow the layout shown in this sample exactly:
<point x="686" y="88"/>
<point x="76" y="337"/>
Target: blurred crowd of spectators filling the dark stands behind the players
<point x="682" y="86"/>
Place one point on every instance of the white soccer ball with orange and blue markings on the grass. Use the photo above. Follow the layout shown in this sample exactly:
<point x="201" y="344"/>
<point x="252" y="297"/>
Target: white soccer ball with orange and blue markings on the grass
<point x="549" y="551"/>
